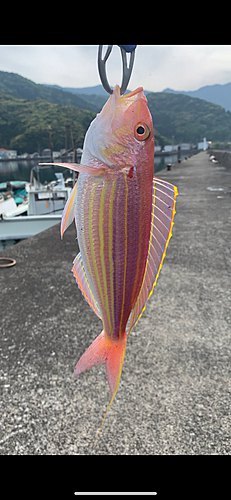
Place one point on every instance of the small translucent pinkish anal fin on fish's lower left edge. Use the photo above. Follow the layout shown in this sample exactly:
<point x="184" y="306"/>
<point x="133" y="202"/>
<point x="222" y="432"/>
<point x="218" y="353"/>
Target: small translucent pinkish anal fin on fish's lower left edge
<point x="80" y="275"/>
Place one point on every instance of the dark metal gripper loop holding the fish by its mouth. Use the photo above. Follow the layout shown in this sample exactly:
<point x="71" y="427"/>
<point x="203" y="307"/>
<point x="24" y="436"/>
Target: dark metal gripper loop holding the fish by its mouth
<point x="127" y="69"/>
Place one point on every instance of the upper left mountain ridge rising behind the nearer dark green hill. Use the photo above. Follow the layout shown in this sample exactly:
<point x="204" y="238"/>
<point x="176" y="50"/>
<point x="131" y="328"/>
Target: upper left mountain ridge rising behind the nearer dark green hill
<point x="22" y="88"/>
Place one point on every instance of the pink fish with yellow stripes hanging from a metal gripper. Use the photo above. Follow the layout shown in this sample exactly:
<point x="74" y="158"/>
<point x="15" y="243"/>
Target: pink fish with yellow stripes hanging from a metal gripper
<point x="124" y="219"/>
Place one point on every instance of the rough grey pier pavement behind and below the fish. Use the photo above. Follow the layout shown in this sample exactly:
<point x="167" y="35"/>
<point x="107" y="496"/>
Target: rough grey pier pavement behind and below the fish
<point x="174" y="396"/>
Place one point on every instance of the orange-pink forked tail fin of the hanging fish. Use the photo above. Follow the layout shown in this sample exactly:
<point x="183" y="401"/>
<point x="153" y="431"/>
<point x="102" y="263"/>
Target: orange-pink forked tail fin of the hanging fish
<point x="112" y="352"/>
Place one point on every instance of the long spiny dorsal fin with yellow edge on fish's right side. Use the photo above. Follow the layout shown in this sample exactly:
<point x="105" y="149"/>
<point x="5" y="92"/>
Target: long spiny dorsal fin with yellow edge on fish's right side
<point x="163" y="211"/>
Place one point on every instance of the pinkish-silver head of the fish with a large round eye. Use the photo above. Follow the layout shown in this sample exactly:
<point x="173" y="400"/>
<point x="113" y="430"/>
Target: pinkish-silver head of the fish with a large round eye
<point x="121" y="135"/>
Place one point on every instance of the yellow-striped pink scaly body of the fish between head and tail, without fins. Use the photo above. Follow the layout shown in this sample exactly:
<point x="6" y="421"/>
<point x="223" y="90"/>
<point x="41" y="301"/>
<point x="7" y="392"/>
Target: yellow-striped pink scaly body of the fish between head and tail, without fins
<point x="112" y="228"/>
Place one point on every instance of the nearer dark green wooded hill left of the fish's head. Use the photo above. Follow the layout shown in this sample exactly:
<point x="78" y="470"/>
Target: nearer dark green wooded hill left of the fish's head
<point x="24" y="125"/>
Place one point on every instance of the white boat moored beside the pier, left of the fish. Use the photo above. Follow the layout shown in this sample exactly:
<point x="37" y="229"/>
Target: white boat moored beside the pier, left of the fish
<point x="42" y="208"/>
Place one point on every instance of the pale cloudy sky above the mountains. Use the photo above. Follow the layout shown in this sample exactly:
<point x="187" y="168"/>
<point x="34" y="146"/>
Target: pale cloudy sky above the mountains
<point x="180" y="67"/>
